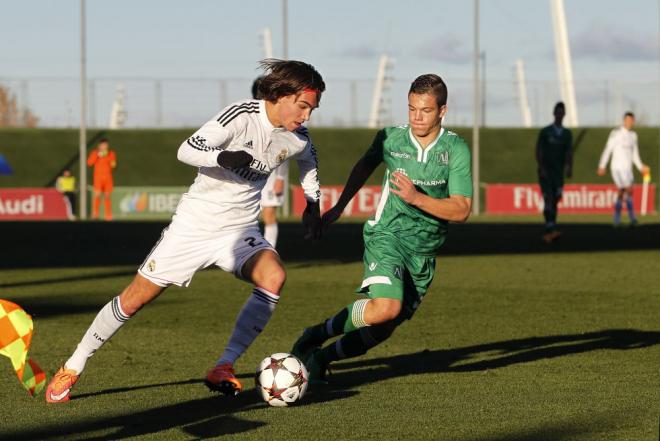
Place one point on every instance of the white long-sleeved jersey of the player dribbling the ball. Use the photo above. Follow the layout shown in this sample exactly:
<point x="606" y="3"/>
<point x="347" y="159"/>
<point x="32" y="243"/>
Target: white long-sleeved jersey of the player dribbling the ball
<point x="224" y="199"/>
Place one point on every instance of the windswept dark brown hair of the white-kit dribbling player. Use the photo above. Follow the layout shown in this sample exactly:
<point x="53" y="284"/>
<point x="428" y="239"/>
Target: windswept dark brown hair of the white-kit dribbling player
<point x="288" y="77"/>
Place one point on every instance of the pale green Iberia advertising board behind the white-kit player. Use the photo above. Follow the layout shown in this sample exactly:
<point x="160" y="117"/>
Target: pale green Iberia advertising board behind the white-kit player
<point x="145" y="202"/>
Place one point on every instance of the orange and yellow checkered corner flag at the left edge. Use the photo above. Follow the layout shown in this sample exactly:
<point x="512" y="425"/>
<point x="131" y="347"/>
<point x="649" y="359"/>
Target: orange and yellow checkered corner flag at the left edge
<point x="15" y="336"/>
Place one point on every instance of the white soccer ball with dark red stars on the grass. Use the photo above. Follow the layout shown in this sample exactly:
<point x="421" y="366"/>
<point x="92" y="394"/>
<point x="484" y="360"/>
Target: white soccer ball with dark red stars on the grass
<point x="281" y="379"/>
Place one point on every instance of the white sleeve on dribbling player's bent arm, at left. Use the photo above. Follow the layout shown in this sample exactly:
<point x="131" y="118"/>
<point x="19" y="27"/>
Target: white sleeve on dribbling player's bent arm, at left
<point x="202" y="148"/>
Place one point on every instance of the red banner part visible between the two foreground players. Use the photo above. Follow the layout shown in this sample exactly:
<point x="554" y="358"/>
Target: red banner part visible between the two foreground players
<point x="363" y="204"/>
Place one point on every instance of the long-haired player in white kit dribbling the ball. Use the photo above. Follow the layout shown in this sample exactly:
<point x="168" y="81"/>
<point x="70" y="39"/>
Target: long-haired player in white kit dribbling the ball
<point x="216" y="221"/>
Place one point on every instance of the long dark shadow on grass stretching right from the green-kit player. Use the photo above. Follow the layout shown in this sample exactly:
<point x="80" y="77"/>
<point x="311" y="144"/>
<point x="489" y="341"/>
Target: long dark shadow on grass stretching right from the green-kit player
<point x="488" y="355"/>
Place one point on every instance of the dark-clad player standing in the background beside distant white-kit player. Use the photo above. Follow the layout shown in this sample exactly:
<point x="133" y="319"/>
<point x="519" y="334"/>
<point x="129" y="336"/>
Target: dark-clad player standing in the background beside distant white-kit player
<point x="554" y="159"/>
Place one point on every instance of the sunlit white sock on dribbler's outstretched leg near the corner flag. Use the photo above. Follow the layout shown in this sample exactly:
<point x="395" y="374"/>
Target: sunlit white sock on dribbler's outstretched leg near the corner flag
<point x="109" y="319"/>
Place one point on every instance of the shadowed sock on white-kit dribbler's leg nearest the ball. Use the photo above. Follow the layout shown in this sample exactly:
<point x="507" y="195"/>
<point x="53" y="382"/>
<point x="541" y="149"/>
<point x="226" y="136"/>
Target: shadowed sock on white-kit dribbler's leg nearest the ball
<point x="251" y="321"/>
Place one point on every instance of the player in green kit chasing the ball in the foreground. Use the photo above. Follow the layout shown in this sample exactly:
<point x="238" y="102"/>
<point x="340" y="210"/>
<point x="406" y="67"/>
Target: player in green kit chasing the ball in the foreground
<point x="427" y="183"/>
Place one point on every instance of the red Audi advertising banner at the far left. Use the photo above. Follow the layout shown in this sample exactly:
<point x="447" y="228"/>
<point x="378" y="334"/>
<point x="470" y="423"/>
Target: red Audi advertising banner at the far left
<point x="32" y="204"/>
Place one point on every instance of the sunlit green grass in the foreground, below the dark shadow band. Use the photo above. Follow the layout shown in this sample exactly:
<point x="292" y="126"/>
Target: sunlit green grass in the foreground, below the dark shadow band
<point x="509" y="347"/>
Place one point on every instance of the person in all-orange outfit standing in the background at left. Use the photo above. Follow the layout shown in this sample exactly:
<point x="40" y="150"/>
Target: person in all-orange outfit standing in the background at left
<point x="104" y="162"/>
